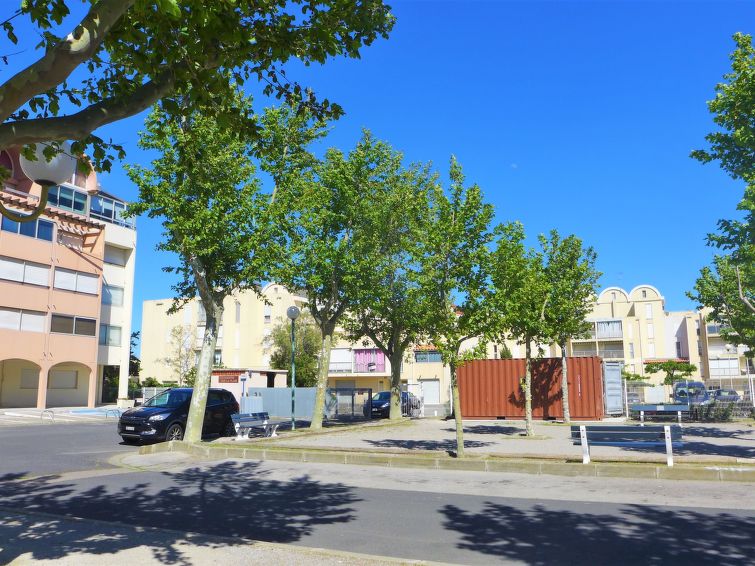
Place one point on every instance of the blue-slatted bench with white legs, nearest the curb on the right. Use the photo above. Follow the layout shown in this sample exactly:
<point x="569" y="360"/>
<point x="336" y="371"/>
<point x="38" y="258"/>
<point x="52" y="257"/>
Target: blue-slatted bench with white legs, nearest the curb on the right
<point x="669" y="436"/>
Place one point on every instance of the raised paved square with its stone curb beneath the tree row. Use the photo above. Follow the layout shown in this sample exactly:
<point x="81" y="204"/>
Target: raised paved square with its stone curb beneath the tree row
<point x="720" y="452"/>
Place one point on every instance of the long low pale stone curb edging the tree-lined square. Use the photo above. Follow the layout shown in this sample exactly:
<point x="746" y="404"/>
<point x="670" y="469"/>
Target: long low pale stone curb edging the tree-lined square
<point x="559" y="467"/>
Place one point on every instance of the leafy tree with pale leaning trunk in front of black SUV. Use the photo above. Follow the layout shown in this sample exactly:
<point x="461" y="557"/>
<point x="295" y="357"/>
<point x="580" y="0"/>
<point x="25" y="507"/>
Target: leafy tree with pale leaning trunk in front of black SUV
<point x="215" y="218"/>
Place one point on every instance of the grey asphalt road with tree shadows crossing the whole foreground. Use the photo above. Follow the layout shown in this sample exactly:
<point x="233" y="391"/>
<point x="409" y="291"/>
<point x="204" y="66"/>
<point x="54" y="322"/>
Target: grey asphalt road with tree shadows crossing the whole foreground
<point x="460" y="517"/>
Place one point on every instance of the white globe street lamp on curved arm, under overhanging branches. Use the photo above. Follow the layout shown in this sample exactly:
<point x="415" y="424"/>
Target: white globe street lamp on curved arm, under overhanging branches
<point x="45" y="173"/>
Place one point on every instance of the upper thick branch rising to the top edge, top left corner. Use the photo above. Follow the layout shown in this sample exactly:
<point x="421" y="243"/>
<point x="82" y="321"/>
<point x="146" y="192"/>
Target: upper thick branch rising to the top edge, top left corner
<point x="59" y="62"/>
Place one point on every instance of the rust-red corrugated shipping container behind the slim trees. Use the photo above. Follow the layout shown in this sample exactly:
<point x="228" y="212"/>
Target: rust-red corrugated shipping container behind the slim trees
<point x="491" y="389"/>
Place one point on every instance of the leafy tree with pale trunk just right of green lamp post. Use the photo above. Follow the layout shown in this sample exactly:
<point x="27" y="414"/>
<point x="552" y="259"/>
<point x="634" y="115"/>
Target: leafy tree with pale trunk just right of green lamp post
<point x="327" y="258"/>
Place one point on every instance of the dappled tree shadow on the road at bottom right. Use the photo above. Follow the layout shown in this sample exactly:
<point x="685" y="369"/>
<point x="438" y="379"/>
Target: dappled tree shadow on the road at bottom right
<point x="639" y="535"/>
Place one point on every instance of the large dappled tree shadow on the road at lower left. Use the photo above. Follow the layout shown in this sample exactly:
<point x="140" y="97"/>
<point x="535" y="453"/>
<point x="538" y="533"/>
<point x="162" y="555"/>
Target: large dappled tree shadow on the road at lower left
<point x="228" y="499"/>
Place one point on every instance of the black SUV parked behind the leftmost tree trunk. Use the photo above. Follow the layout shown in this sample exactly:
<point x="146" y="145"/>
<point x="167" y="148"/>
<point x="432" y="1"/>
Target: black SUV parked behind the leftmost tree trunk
<point x="163" y="417"/>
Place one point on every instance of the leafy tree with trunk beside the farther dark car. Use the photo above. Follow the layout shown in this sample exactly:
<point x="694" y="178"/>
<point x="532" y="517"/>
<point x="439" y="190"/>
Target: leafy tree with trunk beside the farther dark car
<point x="392" y="312"/>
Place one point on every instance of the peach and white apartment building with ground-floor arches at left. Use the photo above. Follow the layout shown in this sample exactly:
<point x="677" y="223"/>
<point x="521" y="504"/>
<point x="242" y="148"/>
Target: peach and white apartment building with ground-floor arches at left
<point x="66" y="293"/>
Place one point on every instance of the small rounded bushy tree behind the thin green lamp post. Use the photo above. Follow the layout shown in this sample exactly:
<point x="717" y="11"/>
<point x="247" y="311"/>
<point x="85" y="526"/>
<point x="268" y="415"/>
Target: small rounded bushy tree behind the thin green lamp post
<point x="307" y="349"/>
